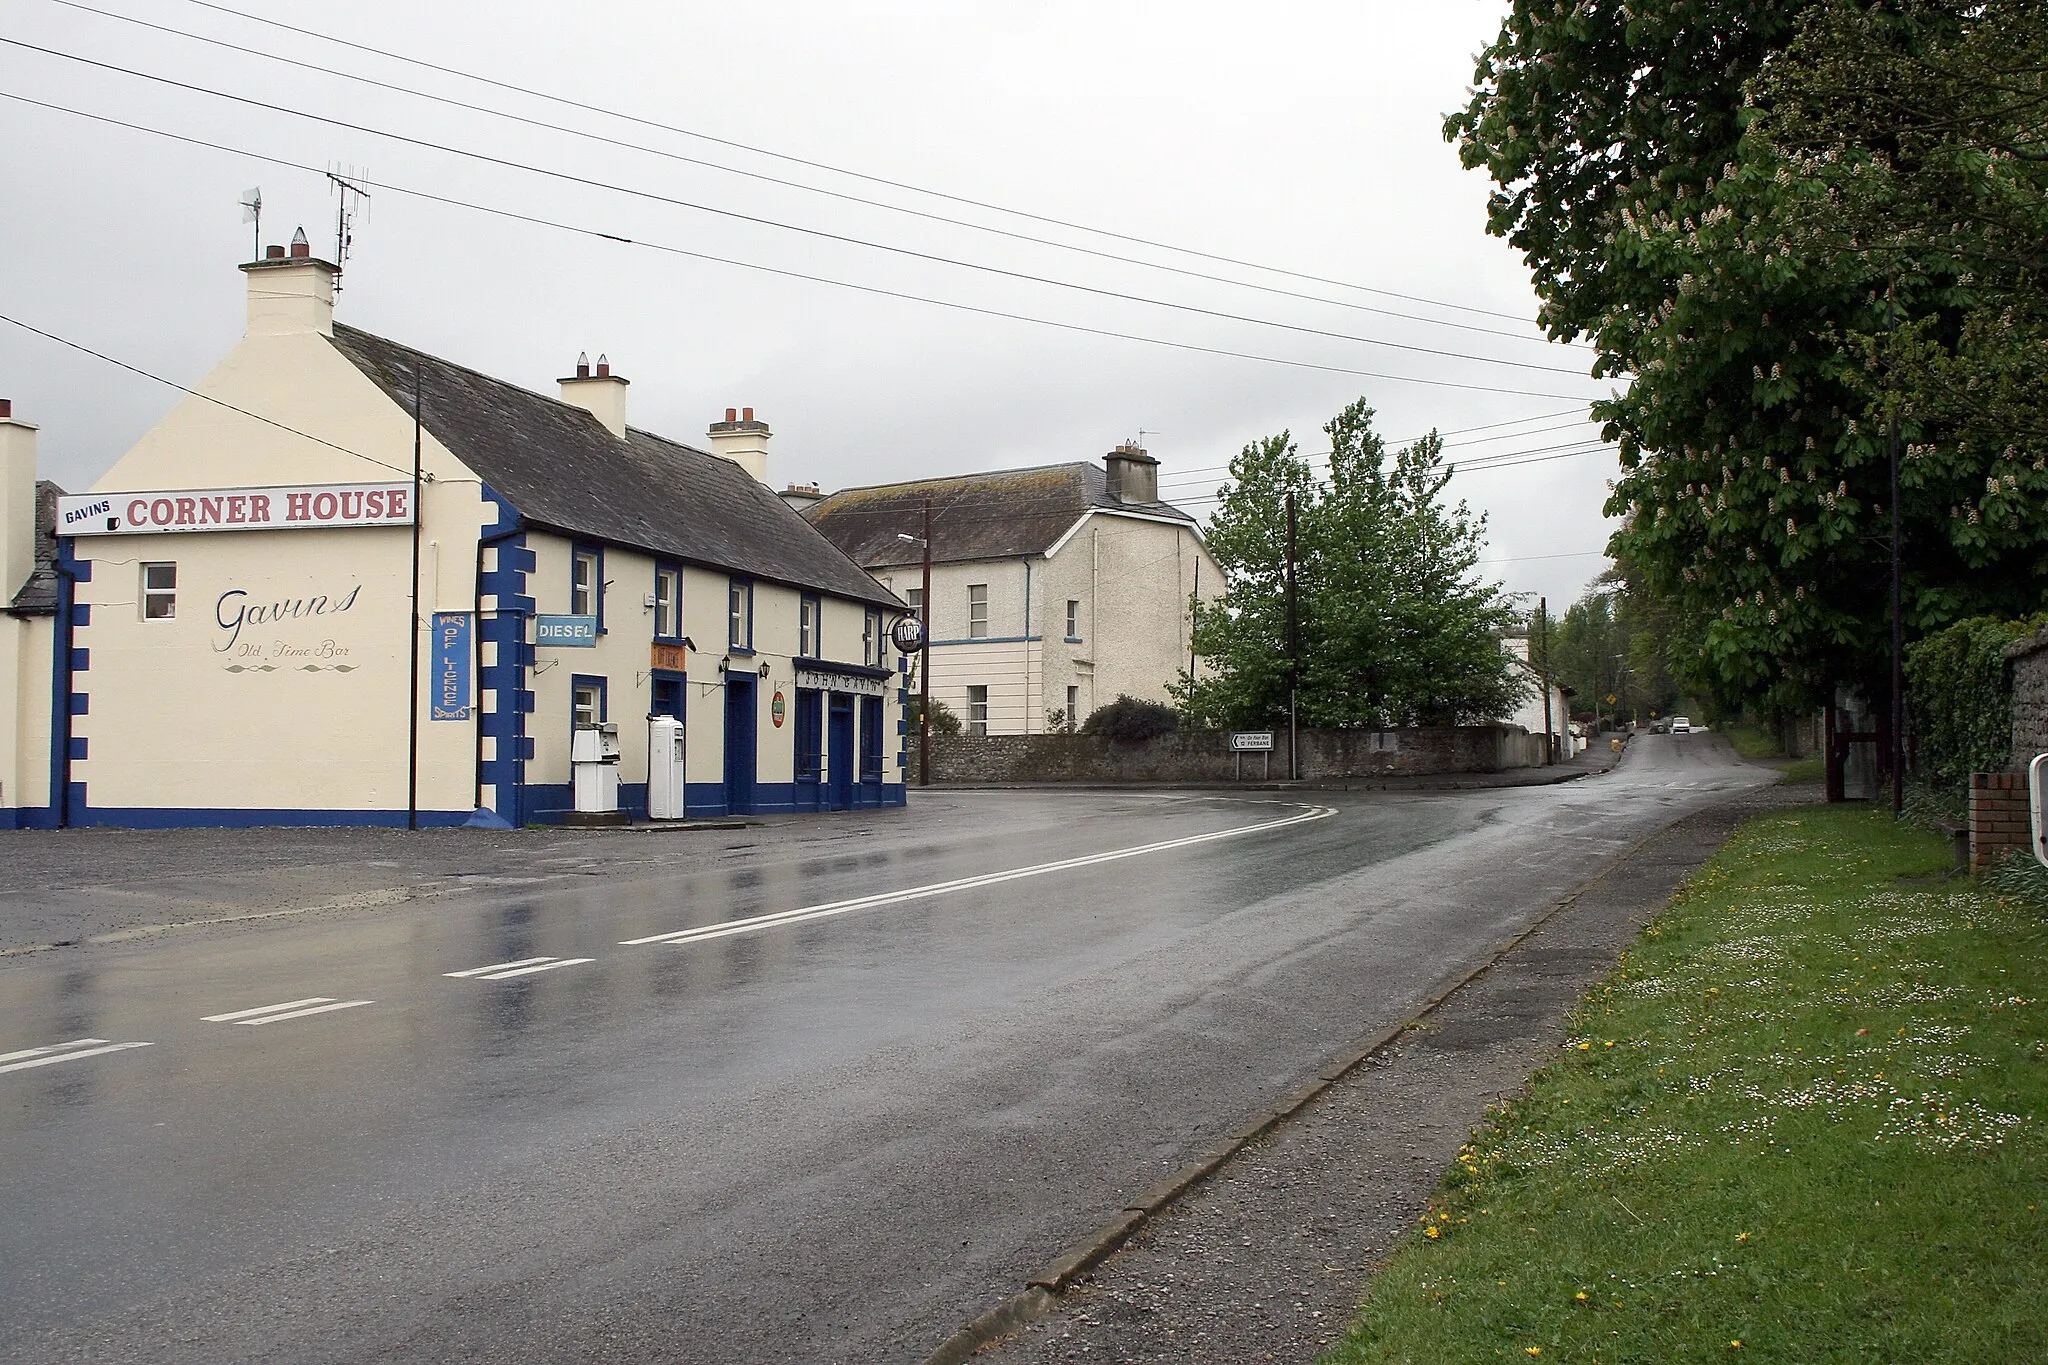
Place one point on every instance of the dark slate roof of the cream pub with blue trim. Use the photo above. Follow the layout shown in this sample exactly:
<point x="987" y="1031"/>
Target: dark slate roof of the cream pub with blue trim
<point x="566" y="472"/>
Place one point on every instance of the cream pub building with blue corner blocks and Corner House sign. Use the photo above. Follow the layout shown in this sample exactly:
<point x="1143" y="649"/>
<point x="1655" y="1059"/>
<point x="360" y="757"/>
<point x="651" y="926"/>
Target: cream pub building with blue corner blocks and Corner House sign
<point x="267" y="617"/>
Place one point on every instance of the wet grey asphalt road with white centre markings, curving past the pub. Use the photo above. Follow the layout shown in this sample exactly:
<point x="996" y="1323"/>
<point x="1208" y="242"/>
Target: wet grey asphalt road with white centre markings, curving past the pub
<point x="833" y="1137"/>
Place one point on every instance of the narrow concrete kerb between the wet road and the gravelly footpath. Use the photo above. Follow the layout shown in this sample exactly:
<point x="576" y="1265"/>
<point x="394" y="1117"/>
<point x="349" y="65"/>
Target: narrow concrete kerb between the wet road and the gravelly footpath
<point x="1041" y="1292"/>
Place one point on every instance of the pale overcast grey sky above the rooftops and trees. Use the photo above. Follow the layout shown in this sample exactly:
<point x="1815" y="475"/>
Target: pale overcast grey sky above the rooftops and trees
<point x="1295" y="136"/>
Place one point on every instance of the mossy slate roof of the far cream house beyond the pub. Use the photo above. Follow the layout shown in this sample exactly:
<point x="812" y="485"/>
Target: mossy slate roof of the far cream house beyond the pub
<point x="974" y="517"/>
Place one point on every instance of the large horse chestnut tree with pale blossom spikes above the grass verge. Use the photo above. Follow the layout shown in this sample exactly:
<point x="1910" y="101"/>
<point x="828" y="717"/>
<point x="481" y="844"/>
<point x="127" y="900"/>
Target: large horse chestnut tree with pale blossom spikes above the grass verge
<point x="1754" y="466"/>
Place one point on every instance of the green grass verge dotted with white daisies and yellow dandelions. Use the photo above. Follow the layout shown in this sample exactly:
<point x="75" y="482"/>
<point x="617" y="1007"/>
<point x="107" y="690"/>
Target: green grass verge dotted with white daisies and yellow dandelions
<point x="1801" y="1122"/>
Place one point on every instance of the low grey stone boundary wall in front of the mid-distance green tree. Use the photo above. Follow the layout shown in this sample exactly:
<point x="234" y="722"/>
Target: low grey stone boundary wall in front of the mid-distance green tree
<point x="1205" y="756"/>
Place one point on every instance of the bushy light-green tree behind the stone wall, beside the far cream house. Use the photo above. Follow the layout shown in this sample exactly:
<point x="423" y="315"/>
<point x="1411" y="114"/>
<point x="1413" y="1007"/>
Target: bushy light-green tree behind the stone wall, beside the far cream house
<point x="1394" y="623"/>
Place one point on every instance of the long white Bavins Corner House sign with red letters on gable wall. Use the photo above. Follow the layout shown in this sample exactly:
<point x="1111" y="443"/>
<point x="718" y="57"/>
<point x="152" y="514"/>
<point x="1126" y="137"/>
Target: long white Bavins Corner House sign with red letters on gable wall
<point x="292" y="509"/>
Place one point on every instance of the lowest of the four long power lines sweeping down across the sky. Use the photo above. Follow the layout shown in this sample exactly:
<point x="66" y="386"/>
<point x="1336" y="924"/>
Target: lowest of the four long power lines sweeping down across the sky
<point x="388" y="187"/>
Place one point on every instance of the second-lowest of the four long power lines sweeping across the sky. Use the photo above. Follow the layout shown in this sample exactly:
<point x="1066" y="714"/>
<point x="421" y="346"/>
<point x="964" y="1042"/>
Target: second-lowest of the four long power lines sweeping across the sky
<point x="777" y="224"/>
